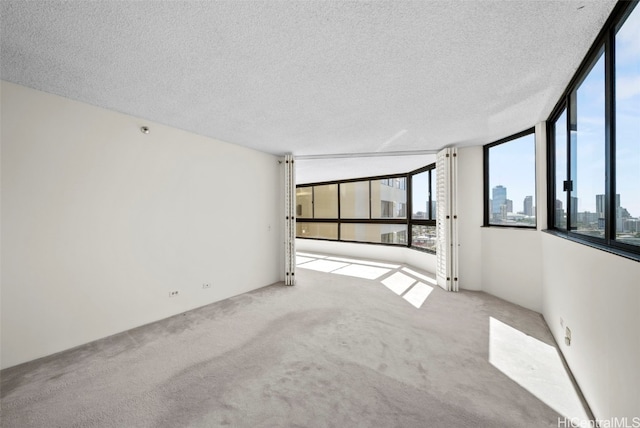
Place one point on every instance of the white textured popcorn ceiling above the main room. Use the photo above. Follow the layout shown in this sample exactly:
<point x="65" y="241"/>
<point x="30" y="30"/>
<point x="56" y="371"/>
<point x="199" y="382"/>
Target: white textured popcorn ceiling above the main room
<point x="309" y="77"/>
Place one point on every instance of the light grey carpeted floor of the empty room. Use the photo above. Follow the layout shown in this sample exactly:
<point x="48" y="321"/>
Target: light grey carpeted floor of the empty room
<point x="333" y="351"/>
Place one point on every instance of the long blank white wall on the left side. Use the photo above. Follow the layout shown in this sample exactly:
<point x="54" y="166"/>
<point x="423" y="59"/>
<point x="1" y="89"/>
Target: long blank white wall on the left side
<point x="100" y="222"/>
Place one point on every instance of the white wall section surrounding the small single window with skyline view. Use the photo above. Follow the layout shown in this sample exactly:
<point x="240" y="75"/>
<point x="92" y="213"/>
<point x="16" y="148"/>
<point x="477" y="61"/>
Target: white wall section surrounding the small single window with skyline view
<point x="504" y="262"/>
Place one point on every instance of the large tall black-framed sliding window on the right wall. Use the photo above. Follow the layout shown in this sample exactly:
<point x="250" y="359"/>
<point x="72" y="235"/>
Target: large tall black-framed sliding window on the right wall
<point x="594" y="145"/>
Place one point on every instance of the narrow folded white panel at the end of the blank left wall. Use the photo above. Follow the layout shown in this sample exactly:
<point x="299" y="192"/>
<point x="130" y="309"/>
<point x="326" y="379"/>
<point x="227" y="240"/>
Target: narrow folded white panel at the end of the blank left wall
<point x="290" y="221"/>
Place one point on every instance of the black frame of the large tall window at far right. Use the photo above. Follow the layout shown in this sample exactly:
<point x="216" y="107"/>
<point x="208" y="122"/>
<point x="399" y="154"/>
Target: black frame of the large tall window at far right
<point x="603" y="44"/>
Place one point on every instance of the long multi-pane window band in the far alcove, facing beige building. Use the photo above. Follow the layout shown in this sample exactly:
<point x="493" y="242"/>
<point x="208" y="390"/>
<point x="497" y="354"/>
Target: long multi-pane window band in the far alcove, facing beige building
<point x="375" y="210"/>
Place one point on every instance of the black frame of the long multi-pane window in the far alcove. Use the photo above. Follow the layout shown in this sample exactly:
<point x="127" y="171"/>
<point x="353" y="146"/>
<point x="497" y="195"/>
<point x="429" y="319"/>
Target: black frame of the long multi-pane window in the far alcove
<point x="390" y="179"/>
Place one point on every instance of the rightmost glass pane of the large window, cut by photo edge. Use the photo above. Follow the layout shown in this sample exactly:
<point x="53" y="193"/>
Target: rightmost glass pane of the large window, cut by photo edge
<point x="628" y="130"/>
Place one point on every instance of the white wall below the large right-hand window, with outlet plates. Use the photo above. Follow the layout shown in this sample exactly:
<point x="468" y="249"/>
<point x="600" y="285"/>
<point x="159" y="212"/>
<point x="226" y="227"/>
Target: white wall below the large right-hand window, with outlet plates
<point x="597" y="295"/>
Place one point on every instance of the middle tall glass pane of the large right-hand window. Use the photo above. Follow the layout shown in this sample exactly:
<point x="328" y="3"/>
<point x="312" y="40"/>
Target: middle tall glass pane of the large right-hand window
<point x="588" y="153"/>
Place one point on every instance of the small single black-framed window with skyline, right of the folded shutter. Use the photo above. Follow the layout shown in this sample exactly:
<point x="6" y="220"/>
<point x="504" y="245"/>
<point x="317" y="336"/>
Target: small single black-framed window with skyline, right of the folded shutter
<point x="510" y="181"/>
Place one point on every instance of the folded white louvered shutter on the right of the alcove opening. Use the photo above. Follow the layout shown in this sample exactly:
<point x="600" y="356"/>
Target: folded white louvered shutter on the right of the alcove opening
<point x="446" y="220"/>
